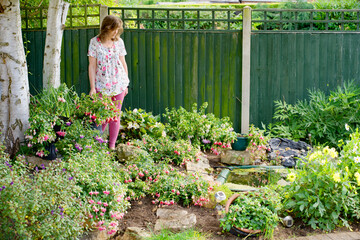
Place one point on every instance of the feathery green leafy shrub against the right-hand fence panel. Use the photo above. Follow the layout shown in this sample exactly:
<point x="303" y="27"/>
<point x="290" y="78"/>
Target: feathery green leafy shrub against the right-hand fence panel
<point x="323" y="116"/>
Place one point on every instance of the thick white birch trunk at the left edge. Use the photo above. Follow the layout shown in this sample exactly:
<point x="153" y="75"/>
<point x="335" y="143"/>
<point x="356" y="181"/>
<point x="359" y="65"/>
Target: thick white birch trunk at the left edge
<point x="14" y="85"/>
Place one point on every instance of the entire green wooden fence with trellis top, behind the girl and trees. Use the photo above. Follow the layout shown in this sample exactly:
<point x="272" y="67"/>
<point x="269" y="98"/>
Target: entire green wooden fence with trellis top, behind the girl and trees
<point x="177" y="57"/>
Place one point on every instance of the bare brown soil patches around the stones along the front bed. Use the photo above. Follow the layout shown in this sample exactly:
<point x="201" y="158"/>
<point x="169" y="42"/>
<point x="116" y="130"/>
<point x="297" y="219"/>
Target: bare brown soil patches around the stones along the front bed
<point x="142" y="214"/>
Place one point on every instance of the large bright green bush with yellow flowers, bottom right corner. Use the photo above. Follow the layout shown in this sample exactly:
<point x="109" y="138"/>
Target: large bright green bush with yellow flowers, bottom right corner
<point x="324" y="191"/>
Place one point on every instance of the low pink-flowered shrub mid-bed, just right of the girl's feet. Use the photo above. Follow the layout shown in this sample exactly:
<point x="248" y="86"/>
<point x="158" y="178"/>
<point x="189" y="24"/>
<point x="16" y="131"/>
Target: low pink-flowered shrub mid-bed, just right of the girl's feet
<point x="165" y="149"/>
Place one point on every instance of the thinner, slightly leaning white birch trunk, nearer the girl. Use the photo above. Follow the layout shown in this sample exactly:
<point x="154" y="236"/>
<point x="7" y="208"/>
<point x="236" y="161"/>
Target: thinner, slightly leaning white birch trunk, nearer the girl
<point x="52" y="56"/>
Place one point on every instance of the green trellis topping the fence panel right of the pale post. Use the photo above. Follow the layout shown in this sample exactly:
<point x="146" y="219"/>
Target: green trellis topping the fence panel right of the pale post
<point x="339" y="20"/>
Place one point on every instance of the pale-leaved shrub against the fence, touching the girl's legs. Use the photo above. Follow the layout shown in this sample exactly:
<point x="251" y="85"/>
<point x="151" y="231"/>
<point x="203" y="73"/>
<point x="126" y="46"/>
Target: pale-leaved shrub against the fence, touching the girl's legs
<point x="135" y="123"/>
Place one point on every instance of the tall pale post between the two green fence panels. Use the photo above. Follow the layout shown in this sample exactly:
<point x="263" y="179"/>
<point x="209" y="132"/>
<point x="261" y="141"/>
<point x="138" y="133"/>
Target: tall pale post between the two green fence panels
<point x="245" y="96"/>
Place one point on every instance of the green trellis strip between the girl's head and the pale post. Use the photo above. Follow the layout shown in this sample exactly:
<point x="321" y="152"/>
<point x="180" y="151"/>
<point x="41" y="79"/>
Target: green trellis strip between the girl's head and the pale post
<point x="184" y="19"/>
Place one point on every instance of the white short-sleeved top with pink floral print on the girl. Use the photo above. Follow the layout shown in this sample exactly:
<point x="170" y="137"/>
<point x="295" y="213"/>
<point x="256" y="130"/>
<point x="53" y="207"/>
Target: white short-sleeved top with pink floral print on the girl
<point x="111" y="78"/>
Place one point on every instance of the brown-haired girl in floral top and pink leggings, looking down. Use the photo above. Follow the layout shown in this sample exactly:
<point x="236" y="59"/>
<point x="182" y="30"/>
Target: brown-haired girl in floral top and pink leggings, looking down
<point x="108" y="72"/>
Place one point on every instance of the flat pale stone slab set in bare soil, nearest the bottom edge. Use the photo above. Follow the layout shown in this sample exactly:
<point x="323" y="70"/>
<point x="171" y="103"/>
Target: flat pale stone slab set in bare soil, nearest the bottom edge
<point x="174" y="220"/>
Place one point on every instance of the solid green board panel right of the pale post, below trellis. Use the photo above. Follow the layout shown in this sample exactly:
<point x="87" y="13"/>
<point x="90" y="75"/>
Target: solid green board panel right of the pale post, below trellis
<point x="285" y="65"/>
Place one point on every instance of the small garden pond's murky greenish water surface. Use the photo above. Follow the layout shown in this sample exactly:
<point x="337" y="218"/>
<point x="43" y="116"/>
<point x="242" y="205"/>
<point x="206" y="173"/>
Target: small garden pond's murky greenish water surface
<point x="257" y="177"/>
